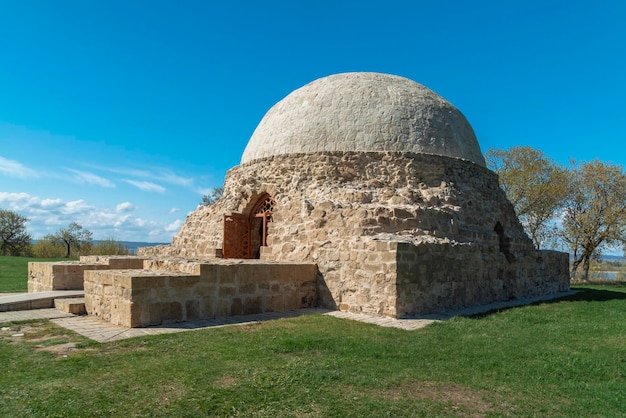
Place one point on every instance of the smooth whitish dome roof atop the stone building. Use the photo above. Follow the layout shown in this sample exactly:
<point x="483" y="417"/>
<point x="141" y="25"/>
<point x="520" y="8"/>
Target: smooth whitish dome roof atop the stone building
<point x="364" y="112"/>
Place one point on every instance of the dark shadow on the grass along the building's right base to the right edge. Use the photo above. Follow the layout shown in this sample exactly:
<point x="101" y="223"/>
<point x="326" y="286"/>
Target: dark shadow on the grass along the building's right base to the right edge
<point x="584" y="293"/>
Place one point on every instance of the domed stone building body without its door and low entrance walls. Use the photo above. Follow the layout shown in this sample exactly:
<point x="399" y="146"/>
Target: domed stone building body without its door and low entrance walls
<point x="381" y="184"/>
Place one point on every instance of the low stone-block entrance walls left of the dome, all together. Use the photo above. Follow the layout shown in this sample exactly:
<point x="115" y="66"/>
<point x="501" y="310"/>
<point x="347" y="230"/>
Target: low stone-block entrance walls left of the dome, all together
<point x="133" y="291"/>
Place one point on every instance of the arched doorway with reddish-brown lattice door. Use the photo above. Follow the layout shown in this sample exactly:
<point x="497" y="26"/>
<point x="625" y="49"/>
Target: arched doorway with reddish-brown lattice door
<point x="244" y="235"/>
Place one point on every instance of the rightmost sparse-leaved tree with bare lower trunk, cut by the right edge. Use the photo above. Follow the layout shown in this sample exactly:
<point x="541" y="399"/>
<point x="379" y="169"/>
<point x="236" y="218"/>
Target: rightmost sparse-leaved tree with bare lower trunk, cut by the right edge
<point x="595" y="212"/>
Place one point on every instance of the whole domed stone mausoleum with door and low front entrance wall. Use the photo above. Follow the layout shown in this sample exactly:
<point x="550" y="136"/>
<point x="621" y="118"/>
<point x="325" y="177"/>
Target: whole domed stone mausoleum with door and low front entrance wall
<point x="363" y="192"/>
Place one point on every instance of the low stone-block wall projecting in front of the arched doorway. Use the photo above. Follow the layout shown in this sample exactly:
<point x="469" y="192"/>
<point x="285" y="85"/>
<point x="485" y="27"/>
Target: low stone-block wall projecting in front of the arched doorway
<point x="135" y="298"/>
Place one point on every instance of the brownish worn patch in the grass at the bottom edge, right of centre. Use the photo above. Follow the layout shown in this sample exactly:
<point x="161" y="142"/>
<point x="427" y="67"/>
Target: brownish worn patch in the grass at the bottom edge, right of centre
<point x="462" y="401"/>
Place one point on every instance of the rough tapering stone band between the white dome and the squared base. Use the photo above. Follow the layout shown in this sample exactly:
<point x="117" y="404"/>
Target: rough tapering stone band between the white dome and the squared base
<point x="367" y="193"/>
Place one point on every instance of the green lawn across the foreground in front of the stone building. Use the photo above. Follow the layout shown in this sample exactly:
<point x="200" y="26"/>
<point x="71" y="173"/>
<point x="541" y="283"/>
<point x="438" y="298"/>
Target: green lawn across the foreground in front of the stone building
<point x="559" y="359"/>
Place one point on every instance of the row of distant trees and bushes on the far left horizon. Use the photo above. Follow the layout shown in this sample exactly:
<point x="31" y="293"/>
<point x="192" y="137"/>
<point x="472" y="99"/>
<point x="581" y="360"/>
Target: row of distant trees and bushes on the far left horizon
<point x="70" y="242"/>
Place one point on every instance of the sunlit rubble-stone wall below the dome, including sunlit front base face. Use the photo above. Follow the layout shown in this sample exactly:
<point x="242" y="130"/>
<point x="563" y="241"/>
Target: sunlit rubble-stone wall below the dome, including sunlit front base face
<point x="337" y="210"/>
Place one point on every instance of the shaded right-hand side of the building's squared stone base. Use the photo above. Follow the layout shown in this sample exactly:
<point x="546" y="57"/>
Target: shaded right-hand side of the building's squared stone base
<point x="433" y="277"/>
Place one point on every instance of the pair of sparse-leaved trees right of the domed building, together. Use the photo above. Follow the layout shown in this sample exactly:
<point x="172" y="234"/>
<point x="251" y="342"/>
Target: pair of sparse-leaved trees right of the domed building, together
<point x="581" y="208"/>
